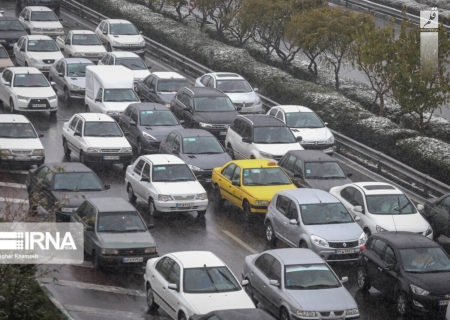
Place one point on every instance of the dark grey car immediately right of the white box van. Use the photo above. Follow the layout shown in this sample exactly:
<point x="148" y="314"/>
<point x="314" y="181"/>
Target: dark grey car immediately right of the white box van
<point x="161" y="86"/>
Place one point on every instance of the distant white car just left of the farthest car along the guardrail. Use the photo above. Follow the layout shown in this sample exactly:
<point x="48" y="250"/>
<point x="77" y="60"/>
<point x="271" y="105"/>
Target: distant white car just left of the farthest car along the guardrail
<point x="81" y="44"/>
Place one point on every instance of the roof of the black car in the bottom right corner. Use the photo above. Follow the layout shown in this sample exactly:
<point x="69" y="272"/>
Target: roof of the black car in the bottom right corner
<point x="405" y="239"/>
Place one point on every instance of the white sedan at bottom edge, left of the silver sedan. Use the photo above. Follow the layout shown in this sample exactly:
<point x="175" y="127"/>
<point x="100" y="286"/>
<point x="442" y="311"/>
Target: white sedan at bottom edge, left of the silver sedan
<point x="191" y="283"/>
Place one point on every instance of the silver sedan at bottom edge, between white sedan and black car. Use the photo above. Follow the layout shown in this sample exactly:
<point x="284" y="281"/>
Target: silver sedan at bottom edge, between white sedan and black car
<point x="297" y="284"/>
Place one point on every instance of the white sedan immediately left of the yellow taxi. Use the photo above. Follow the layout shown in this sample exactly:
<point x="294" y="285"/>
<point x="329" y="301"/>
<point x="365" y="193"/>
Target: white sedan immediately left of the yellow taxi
<point x="166" y="184"/>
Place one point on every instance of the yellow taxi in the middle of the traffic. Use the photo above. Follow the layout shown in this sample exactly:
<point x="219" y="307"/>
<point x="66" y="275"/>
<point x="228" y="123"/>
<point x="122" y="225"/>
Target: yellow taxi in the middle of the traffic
<point x="249" y="184"/>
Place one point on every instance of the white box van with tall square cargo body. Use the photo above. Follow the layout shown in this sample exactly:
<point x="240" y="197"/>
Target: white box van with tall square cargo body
<point x="109" y="89"/>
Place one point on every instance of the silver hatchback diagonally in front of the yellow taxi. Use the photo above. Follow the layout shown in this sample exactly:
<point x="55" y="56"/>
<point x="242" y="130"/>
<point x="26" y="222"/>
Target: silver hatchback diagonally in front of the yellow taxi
<point x="315" y="219"/>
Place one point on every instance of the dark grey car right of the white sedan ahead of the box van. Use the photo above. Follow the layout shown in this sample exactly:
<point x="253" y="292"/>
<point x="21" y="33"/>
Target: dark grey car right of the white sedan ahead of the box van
<point x="146" y="124"/>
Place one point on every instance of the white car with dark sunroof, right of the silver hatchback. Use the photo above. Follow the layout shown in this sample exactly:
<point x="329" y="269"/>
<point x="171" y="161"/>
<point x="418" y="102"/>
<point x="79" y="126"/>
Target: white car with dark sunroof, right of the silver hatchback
<point x="382" y="207"/>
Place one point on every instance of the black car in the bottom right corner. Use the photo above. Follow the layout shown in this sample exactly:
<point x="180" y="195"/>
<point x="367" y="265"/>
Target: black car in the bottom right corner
<point x="408" y="267"/>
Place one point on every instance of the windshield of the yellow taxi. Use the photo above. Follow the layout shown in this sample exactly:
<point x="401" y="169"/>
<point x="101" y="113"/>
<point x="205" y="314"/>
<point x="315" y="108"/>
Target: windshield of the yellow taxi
<point x="264" y="177"/>
